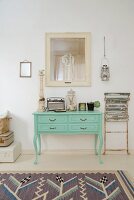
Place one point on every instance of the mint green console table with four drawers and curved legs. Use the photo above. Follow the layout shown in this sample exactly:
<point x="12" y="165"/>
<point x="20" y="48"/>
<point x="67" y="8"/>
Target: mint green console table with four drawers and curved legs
<point x="68" y="123"/>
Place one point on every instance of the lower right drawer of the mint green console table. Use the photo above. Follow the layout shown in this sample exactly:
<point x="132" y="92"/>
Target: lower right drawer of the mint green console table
<point x="83" y="128"/>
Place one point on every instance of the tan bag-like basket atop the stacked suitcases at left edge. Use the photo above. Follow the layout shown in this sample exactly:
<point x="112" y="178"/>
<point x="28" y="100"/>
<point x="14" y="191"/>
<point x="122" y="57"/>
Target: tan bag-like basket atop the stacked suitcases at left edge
<point x="4" y="125"/>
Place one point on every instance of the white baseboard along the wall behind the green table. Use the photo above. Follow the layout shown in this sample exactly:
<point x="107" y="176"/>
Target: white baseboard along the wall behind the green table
<point x="75" y="151"/>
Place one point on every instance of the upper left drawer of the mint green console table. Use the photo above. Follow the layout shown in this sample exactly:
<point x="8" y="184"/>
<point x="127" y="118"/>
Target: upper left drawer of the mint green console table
<point x="52" y="119"/>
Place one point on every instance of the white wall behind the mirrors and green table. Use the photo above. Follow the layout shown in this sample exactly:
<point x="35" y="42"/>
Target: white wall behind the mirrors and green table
<point x="22" y="36"/>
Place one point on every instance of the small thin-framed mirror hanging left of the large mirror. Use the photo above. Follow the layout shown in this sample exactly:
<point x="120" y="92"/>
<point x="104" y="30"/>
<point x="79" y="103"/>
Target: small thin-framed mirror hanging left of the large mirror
<point x="25" y="69"/>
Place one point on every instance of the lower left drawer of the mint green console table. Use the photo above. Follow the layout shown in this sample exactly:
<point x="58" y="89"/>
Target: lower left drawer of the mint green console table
<point x="52" y="128"/>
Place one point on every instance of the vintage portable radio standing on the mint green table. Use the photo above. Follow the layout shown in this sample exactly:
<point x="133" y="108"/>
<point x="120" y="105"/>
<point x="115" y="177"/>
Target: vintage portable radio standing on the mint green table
<point x="55" y="103"/>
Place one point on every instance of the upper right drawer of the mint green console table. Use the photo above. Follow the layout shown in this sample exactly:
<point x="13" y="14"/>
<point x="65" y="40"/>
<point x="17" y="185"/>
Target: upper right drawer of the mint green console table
<point x="84" y="118"/>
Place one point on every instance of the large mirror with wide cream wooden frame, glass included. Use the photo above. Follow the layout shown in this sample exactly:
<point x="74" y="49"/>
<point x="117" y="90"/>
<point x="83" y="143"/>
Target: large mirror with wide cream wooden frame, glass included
<point x="68" y="59"/>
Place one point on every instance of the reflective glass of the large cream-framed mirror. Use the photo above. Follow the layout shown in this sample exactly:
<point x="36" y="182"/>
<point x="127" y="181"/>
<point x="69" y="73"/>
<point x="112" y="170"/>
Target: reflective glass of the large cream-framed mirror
<point x="68" y="59"/>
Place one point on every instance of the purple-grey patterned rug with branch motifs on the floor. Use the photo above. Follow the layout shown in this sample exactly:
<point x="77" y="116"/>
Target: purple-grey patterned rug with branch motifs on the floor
<point x="66" y="186"/>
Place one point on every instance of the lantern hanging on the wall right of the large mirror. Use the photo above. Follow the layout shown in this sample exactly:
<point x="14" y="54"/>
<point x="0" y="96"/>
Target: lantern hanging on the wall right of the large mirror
<point x="105" y="72"/>
